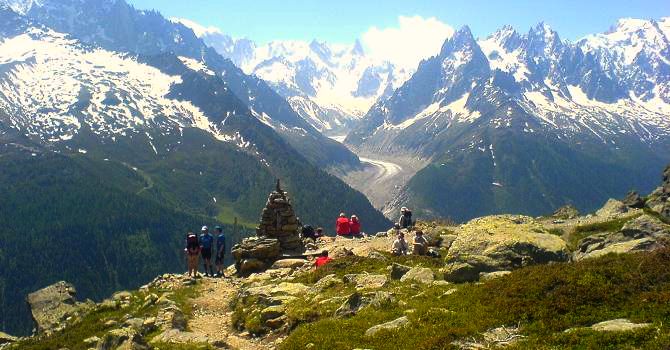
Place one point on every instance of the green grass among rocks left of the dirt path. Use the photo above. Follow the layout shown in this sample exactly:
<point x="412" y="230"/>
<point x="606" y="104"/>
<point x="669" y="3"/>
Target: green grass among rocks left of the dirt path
<point x="93" y="324"/>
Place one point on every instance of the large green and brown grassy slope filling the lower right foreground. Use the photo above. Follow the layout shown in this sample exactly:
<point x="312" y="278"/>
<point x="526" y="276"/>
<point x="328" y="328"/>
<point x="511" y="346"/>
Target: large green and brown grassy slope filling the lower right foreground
<point x="544" y="300"/>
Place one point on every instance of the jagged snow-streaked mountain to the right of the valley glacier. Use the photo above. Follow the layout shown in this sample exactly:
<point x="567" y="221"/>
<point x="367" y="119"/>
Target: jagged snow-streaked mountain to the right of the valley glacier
<point x="528" y="123"/>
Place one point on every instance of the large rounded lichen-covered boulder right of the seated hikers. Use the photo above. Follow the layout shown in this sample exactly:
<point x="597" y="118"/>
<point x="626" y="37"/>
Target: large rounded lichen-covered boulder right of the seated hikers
<point x="501" y="243"/>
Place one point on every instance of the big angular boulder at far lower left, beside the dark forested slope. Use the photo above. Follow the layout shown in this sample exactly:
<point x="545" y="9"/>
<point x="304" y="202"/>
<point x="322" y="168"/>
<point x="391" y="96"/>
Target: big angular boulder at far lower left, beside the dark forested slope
<point x="54" y="306"/>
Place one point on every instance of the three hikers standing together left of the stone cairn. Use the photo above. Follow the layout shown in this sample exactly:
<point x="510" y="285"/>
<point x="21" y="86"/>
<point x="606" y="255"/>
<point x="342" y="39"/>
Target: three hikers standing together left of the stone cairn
<point x="205" y="245"/>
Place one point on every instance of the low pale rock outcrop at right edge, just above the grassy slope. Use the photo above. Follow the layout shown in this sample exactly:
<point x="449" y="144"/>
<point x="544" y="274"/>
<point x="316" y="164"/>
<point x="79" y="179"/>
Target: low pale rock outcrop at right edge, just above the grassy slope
<point x="643" y="233"/>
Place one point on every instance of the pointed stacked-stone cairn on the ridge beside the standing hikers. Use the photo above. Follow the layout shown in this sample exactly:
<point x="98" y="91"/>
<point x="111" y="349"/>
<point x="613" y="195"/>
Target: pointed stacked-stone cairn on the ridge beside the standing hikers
<point x="276" y="236"/>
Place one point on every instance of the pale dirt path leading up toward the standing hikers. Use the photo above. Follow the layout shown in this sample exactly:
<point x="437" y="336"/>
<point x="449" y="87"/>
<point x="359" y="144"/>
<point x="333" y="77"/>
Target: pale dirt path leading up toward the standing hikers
<point x="212" y="316"/>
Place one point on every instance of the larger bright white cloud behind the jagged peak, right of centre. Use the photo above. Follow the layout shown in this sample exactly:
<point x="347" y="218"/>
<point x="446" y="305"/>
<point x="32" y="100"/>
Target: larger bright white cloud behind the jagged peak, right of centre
<point x="415" y="38"/>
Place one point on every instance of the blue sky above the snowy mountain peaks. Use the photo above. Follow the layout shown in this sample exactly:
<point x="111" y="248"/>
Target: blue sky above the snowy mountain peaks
<point x="343" y="21"/>
